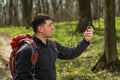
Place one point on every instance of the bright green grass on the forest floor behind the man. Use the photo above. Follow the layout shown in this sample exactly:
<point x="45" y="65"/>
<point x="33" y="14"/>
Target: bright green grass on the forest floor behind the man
<point x="79" y="68"/>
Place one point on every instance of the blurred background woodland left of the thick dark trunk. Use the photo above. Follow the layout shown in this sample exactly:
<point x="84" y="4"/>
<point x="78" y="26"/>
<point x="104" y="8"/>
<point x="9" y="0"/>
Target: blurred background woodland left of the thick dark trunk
<point x="19" y="12"/>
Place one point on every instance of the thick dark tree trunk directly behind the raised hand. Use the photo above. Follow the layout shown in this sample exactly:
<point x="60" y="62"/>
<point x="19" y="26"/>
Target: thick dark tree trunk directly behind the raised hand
<point x="85" y="15"/>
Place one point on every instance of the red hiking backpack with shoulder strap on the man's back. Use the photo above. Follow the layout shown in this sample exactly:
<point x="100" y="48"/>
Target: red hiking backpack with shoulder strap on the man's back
<point x="16" y="43"/>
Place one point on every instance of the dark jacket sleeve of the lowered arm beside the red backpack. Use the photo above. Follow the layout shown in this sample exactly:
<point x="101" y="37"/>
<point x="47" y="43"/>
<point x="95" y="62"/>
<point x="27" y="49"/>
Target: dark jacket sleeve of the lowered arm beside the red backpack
<point x="23" y="63"/>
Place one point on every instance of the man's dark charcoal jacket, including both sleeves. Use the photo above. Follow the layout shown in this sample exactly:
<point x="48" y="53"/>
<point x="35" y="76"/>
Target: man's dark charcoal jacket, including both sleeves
<point x="45" y="66"/>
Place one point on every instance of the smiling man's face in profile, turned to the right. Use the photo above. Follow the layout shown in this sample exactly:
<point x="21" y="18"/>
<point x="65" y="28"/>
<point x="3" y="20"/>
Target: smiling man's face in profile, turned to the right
<point x="48" y="29"/>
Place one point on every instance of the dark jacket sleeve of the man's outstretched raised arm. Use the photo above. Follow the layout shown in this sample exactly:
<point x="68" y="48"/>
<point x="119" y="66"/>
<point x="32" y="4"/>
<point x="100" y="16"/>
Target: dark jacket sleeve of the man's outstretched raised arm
<point x="67" y="53"/>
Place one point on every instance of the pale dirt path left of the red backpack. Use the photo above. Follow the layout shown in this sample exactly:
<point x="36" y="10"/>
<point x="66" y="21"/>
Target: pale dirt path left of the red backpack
<point x="5" y="50"/>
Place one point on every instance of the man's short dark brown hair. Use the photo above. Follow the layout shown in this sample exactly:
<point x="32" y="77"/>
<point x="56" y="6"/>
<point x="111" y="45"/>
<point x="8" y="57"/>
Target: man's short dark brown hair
<point x="38" y="20"/>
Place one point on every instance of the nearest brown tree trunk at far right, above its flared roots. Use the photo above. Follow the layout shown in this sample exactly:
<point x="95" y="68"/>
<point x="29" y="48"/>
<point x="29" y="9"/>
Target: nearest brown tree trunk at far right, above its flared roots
<point x="110" y="32"/>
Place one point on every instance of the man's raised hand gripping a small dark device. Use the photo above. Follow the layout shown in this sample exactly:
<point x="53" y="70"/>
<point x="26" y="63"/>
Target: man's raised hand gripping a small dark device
<point x="88" y="34"/>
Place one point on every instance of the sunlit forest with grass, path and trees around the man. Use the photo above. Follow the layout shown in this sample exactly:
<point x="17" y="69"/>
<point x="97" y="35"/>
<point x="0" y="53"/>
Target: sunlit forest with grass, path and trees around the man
<point x="100" y="61"/>
